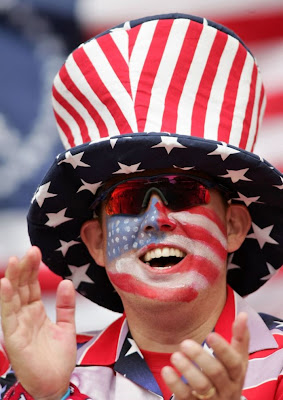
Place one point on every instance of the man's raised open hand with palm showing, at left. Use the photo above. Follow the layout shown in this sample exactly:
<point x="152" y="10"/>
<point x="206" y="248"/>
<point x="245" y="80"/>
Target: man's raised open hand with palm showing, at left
<point x="42" y="353"/>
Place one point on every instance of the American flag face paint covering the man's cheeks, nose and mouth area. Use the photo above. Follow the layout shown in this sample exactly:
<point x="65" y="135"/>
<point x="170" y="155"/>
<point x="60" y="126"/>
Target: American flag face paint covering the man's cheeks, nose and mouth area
<point x="164" y="255"/>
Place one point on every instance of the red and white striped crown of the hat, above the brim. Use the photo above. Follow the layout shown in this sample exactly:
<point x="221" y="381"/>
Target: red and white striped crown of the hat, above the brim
<point x="173" y="73"/>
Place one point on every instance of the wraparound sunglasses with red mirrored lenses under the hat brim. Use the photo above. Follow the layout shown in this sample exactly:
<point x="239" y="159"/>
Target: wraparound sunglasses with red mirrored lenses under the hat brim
<point x="178" y="192"/>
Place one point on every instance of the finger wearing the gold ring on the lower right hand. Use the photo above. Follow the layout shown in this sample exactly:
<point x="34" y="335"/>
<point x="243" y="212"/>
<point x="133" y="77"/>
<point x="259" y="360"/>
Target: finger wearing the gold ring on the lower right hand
<point x="193" y="375"/>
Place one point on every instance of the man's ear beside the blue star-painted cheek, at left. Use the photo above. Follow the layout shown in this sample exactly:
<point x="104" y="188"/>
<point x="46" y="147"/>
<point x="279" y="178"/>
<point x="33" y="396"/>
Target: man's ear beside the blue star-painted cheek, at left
<point x="92" y="236"/>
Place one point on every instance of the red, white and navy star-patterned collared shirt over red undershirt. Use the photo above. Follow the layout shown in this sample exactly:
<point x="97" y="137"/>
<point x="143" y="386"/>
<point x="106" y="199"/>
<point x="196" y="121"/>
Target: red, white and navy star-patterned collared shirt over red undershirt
<point x="110" y="366"/>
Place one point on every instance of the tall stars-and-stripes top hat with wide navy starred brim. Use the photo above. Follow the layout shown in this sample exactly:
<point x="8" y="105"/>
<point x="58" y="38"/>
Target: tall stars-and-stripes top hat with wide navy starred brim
<point x="159" y="92"/>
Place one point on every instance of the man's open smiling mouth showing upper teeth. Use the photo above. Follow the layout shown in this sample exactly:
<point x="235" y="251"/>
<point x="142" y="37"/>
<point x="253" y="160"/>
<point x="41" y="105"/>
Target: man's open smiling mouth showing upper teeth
<point x="165" y="257"/>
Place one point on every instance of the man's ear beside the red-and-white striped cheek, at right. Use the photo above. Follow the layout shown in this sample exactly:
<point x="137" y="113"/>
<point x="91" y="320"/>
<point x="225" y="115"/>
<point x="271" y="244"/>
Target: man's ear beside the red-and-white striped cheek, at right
<point x="238" y="221"/>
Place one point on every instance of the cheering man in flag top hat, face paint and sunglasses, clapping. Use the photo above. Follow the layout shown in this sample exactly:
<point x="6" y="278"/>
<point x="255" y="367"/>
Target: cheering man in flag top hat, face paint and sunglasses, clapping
<point x="148" y="222"/>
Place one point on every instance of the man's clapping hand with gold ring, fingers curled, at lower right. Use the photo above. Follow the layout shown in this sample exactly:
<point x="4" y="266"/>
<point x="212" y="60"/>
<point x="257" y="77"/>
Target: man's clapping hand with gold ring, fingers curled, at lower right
<point x="217" y="378"/>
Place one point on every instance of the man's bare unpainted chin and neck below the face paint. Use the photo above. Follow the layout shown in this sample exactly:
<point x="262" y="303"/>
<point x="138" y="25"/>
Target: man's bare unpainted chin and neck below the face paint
<point x="161" y="327"/>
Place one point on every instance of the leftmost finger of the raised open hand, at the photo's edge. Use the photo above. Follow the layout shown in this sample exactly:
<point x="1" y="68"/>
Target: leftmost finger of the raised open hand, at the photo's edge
<point x="9" y="307"/>
